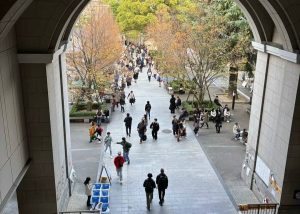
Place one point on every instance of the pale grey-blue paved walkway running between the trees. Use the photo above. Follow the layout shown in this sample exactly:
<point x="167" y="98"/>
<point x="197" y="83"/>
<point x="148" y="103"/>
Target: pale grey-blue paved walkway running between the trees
<point x="193" y="185"/>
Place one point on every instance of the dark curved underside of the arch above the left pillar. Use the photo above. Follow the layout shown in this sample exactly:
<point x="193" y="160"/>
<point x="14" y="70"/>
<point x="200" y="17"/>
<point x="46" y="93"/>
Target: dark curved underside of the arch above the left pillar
<point x="41" y="26"/>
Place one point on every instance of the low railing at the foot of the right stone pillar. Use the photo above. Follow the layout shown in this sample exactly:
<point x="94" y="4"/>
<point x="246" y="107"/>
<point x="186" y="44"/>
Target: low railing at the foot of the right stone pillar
<point x="257" y="208"/>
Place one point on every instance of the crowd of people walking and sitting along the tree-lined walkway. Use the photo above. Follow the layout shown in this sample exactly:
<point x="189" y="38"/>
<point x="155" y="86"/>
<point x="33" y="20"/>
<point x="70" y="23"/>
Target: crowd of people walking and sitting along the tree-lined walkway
<point x="129" y="67"/>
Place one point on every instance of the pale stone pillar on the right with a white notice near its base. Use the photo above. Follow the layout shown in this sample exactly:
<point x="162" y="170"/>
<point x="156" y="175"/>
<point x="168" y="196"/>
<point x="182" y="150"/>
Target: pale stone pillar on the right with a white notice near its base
<point x="272" y="162"/>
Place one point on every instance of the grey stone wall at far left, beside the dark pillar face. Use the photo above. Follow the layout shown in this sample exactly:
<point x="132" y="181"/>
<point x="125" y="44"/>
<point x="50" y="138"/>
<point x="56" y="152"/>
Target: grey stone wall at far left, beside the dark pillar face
<point x="13" y="145"/>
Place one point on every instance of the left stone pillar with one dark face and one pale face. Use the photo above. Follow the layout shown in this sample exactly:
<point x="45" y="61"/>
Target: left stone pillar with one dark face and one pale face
<point x="45" y="188"/>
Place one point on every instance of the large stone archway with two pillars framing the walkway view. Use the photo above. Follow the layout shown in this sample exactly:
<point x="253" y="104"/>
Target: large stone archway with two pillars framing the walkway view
<point x="32" y="41"/>
